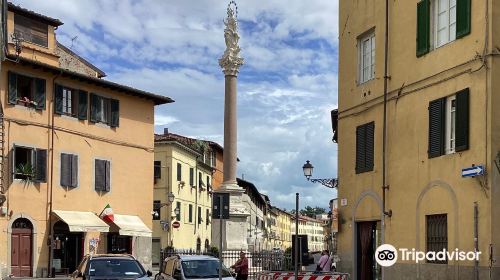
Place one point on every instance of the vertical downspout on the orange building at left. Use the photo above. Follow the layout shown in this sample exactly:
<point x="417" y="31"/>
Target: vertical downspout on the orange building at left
<point x="51" y="187"/>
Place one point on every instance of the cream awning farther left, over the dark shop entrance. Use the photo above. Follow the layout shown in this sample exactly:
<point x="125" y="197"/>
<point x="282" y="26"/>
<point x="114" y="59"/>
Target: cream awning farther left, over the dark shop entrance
<point x="82" y="221"/>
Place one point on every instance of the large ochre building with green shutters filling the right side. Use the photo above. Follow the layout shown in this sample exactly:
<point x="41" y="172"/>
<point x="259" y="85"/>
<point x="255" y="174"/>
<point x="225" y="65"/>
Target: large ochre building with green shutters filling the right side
<point x="412" y="115"/>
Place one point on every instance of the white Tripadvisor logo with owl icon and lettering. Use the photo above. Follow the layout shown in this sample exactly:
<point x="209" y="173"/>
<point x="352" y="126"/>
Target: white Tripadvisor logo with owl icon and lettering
<point x="387" y="255"/>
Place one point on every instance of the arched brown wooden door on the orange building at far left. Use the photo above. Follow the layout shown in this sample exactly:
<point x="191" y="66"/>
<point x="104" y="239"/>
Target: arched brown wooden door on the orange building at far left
<point x="21" y="248"/>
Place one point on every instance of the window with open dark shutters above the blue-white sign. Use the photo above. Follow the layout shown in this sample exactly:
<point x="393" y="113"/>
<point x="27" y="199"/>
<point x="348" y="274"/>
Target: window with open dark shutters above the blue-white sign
<point x="449" y="124"/>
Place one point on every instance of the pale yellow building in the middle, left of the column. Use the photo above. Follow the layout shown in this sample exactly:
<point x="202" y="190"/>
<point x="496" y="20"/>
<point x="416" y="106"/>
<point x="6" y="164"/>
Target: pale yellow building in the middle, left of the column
<point x="185" y="167"/>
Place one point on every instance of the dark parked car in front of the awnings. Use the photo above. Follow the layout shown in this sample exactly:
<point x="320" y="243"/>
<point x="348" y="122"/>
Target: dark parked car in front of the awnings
<point x="110" y="266"/>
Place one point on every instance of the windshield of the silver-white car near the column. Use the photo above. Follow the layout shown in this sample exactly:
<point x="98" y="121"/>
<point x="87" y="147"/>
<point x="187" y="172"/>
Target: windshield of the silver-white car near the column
<point x="203" y="269"/>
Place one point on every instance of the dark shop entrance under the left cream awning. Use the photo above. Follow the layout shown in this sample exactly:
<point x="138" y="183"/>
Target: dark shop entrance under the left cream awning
<point x="68" y="248"/>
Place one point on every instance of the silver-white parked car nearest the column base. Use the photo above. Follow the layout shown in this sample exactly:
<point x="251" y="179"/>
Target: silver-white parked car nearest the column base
<point x="192" y="267"/>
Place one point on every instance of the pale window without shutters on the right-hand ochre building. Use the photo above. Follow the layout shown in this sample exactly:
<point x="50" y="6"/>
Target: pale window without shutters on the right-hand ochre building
<point x="366" y="49"/>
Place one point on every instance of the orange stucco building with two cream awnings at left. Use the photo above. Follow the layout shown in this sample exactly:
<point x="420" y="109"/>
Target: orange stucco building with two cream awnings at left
<point x="71" y="144"/>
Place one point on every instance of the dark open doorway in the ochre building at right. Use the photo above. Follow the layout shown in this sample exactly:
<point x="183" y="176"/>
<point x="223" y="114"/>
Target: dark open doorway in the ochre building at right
<point x="368" y="238"/>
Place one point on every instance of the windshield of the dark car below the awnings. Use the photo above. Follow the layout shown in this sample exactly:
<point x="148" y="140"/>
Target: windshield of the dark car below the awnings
<point x="115" y="268"/>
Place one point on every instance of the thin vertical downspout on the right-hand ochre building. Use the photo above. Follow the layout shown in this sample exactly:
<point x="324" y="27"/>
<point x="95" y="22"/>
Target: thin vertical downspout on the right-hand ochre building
<point x="384" y="141"/>
